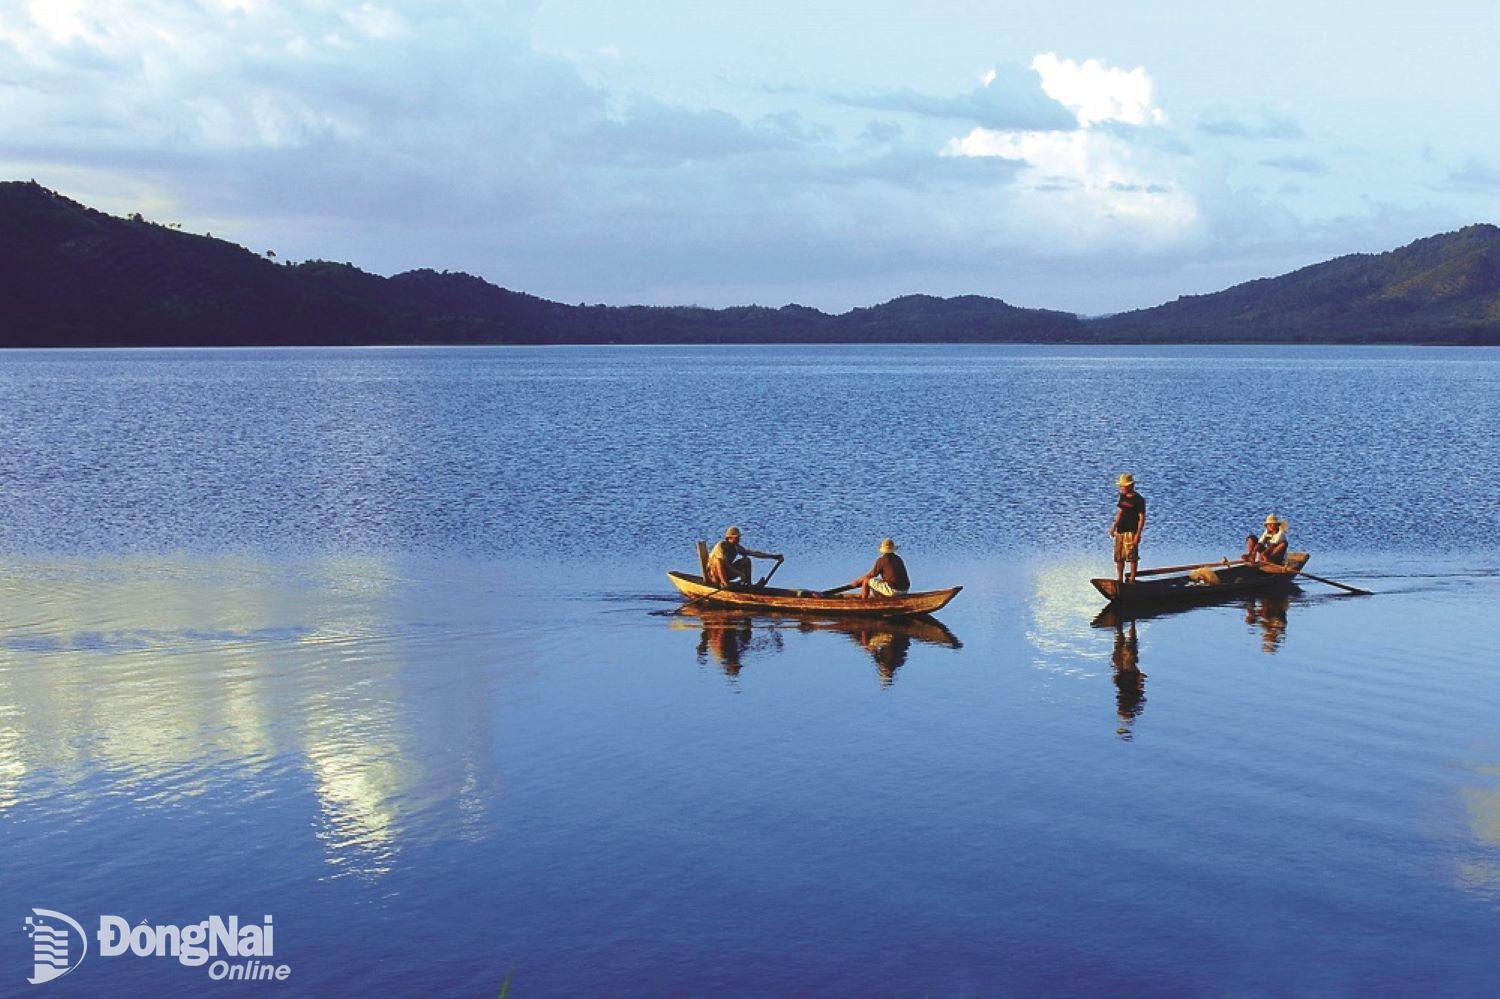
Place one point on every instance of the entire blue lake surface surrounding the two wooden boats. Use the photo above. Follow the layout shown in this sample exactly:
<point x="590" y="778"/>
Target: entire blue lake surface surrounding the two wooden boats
<point x="380" y="643"/>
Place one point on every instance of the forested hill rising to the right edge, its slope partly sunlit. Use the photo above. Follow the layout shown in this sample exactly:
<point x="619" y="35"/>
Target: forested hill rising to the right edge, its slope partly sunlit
<point x="1438" y="290"/>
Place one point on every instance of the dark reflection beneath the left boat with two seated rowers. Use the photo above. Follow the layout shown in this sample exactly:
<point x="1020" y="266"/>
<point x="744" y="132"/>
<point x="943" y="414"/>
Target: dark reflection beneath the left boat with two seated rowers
<point x="733" y="637"/>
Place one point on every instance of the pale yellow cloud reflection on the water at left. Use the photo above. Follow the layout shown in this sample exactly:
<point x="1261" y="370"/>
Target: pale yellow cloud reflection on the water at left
<point x="170" y="679"/>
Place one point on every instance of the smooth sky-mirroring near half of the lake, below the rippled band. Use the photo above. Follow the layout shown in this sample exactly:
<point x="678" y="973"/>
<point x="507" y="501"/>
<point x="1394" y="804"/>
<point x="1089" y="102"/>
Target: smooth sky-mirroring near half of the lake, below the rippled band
<point x="355" y="743"/>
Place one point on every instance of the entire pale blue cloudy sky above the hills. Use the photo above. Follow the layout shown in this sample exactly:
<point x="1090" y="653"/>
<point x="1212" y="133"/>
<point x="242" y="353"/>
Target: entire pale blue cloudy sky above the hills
<point x="1084" y="157"/>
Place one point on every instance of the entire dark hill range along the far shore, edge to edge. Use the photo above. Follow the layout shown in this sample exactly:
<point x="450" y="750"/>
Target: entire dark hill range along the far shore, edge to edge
<point x="73" y="277"/>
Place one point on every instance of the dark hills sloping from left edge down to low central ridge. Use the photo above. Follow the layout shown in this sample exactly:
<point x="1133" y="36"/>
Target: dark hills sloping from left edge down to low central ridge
<point x="71" y="277"/>
